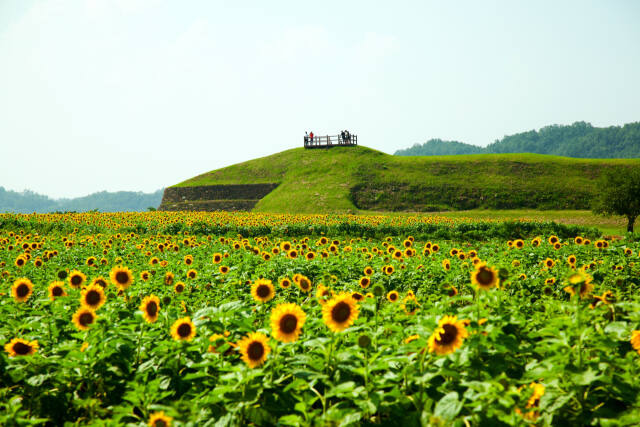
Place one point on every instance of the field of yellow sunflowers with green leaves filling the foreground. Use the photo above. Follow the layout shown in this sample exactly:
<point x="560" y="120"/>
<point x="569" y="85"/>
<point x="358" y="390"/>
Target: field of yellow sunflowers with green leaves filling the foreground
<point x="254" y="319"/>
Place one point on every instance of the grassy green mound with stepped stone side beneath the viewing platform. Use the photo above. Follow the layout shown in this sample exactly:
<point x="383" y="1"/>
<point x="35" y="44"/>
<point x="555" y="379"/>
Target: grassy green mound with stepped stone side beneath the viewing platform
<point x="349" y="179"/>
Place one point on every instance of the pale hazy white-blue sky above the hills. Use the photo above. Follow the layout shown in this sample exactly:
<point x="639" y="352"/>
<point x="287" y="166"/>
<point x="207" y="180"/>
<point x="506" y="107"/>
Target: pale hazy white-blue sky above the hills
<point x="140" y="94"/>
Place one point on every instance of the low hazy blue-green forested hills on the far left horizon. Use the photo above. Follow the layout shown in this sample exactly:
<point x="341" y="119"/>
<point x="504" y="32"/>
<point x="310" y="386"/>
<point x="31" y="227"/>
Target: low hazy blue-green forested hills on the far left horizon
<point x="104" y="201"/>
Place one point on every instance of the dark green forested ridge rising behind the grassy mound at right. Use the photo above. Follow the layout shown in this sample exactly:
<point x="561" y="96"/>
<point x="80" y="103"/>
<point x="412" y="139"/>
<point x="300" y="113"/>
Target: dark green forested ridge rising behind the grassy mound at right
<point x="577" y="140"/>
